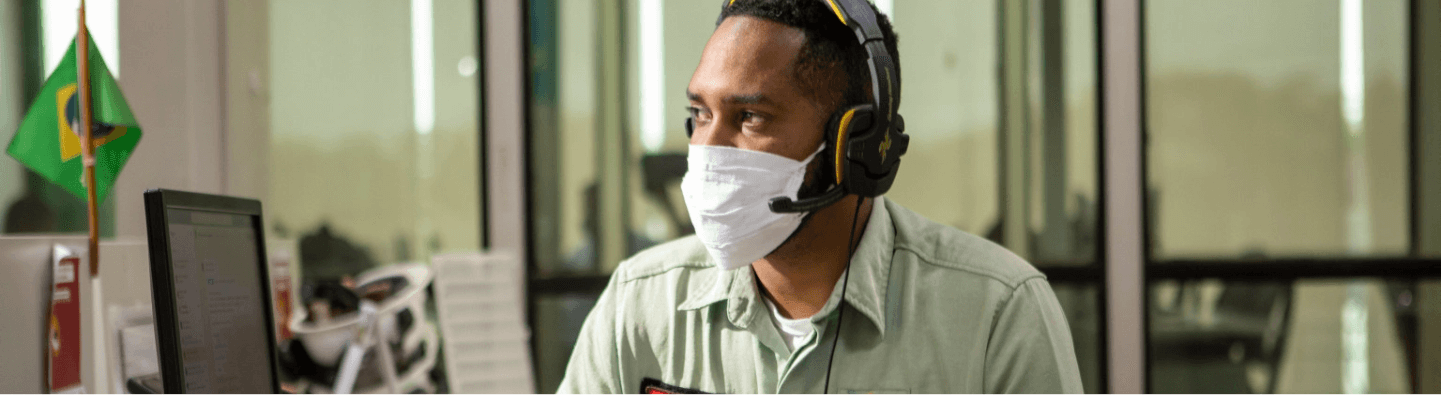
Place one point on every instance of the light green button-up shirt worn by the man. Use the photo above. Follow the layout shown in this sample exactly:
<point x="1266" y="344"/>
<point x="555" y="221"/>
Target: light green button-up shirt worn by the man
<point x="929" y="311"/>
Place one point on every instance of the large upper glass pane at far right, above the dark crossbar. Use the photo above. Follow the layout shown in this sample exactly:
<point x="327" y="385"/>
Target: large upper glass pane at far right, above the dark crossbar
<point x="1277" y="129"/>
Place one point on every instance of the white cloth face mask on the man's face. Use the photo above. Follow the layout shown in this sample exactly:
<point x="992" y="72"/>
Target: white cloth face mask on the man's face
<point x="728" y="192"/>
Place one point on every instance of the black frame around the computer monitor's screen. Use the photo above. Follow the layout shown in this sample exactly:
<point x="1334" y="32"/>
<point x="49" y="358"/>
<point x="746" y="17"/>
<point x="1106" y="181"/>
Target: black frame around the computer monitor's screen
<point x="168" y="341"/>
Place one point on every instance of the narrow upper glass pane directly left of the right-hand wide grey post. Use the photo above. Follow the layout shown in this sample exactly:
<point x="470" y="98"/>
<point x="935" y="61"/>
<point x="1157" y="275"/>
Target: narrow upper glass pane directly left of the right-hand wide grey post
<point x="1048" y="148"/>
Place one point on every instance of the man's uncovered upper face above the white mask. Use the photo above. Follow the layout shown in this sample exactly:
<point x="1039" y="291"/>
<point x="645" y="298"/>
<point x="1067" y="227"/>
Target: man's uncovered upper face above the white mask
<point x="746" y="96"/>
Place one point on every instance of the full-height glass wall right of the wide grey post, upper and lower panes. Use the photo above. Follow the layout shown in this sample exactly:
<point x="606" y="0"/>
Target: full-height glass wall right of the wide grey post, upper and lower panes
<point x="1279" y="138"/>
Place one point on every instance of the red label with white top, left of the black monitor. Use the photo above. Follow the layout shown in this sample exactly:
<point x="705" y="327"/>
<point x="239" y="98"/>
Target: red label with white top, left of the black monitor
<point x="64" y="335"/>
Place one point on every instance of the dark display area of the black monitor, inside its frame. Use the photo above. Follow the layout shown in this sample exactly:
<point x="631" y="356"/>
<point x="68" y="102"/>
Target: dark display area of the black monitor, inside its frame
<point x="220" y="302"/>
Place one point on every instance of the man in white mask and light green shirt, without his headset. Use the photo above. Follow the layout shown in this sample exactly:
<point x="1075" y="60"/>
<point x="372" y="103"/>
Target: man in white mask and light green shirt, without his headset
<point x="753" y="305"/>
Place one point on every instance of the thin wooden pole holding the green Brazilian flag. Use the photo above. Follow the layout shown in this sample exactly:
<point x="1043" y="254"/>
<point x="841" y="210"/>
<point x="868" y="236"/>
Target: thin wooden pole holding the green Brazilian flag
<point x="83" y="66"/>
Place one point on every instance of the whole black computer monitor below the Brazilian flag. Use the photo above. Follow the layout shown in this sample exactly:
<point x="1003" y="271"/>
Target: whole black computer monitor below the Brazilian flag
<point x="211" y="293"/>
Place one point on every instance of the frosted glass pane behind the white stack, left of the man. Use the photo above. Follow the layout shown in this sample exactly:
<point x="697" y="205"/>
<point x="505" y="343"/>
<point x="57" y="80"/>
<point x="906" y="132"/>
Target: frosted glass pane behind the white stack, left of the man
<point x="372" y="130"/>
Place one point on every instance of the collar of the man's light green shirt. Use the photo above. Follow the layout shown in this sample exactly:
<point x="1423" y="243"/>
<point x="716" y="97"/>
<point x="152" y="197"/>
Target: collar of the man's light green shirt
<point x="870" y="275"/>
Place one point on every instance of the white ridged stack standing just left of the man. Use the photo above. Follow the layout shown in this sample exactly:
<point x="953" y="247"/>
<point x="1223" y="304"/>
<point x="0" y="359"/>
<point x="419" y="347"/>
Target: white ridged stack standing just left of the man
<point x="482" y="314"/>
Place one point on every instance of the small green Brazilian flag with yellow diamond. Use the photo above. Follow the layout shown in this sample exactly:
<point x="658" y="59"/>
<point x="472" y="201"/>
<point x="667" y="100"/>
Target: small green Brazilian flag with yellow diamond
<point x="48" y="142"/>
